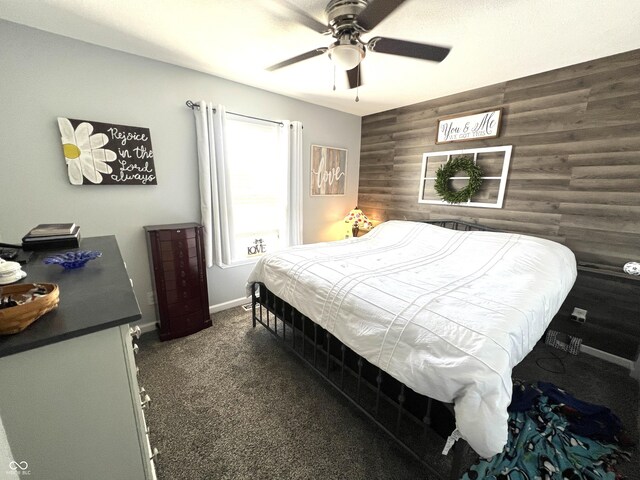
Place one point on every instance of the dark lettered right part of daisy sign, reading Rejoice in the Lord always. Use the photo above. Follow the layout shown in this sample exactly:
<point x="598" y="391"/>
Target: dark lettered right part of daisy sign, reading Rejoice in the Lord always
<point x="135" y="155"/>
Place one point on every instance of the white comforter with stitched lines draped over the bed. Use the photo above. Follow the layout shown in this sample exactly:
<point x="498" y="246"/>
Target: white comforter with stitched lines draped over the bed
<point x="448" y="313"/>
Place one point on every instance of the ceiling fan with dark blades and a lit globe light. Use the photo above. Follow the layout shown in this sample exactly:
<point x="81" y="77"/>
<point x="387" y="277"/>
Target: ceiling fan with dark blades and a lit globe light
<point x="347" y="20"/>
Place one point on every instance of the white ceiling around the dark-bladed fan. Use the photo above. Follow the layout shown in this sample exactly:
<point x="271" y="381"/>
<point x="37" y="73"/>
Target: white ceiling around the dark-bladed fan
<point x="492" y="41"/>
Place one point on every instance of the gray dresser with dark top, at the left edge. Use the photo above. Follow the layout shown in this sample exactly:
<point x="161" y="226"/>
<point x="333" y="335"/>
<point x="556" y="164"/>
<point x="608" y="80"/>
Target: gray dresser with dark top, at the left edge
<point x="69" y="395"/>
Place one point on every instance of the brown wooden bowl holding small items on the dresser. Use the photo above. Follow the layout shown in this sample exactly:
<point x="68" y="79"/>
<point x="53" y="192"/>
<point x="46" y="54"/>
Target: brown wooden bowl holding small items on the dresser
<point x="17" y="318"/>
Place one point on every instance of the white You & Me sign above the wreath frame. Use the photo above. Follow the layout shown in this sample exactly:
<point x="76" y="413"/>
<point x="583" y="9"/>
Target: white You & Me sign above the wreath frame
<point x="469" y="127"/>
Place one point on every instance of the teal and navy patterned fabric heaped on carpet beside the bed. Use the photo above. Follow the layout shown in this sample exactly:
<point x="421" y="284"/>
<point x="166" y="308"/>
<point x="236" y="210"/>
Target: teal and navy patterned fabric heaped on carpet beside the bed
<point x="543" y="443"/>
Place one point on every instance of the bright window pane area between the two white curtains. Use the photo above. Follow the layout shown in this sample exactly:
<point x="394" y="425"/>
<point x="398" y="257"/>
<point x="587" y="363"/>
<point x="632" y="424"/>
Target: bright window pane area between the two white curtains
<point x="257" y="162"/>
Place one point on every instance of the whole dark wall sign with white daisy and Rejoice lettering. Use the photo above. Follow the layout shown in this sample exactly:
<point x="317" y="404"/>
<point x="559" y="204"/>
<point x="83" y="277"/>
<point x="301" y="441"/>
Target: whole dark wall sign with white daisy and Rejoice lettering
<point x="107" y="154"/>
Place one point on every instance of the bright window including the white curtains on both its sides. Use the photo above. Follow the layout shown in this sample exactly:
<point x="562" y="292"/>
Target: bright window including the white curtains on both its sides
<point x="250" y="182"/>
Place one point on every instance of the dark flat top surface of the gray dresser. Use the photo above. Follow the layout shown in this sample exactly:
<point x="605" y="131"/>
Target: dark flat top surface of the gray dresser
<point x="92" y="298"/>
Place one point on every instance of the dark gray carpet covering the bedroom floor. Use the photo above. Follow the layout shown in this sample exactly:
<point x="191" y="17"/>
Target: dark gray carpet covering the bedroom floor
<point x="231" y="402"/>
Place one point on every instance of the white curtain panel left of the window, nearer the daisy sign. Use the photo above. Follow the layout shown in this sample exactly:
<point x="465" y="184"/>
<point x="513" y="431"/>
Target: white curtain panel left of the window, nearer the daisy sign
<point x="213" y="179"/>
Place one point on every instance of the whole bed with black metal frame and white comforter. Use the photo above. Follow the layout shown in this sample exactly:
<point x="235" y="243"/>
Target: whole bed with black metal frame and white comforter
<point x="431" y="319"/>
